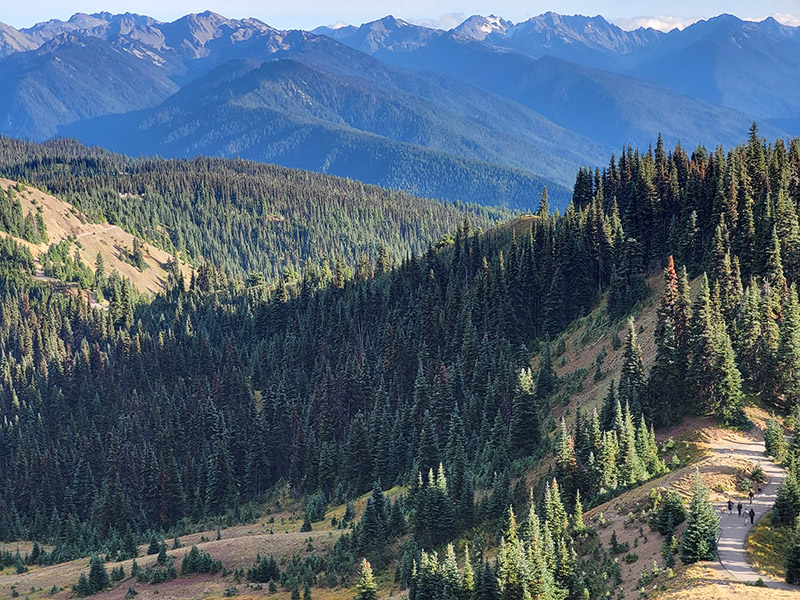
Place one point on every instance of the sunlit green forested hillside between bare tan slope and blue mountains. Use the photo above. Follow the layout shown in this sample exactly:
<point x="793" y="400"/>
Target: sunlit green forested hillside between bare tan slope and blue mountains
<point x="240" y="216"/>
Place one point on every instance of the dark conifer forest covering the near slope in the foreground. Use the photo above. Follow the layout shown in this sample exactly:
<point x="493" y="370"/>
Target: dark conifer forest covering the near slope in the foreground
<point x="437" y="375"/>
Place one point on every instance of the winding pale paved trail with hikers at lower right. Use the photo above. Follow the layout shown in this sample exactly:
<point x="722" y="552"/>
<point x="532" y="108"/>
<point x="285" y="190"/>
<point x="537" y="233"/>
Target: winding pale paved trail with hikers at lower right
<point x="733" y="529"/>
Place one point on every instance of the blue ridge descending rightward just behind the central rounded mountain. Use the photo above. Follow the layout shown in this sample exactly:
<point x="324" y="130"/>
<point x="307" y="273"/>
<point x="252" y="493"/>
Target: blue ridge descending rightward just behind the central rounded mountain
<point x="611" y="108"/>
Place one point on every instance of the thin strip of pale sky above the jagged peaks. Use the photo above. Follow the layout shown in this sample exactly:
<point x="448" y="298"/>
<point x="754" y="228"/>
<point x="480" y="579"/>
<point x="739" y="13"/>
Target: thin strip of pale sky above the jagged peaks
<point x="306" y="14"/>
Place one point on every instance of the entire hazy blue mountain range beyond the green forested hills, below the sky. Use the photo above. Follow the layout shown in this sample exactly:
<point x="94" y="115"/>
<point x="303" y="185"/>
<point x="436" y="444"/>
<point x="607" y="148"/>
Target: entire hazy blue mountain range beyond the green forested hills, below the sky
<point x="490" y="111"/>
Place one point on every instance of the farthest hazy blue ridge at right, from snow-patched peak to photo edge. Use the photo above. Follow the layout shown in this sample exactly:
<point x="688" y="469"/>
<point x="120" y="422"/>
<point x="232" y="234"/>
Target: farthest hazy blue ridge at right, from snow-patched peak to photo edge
<point x="752" y="67"/>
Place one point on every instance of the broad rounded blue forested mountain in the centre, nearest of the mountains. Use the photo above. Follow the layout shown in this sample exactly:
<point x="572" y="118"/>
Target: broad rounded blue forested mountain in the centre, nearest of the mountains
<point x="382" y="129"/>
